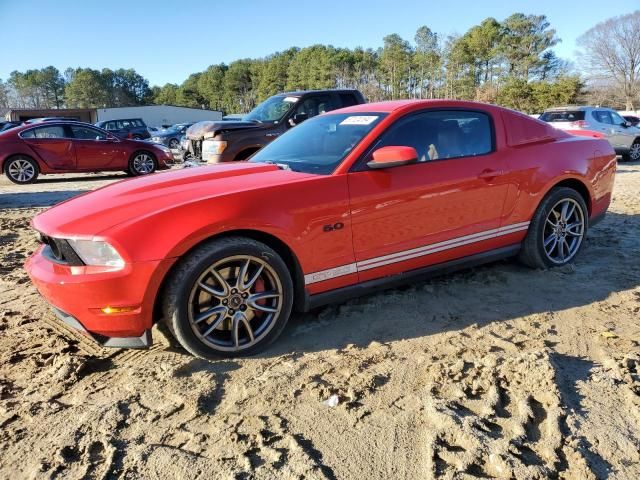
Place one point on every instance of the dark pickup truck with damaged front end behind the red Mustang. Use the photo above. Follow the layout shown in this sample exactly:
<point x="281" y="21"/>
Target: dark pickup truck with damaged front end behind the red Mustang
<point x="232" y="140"/>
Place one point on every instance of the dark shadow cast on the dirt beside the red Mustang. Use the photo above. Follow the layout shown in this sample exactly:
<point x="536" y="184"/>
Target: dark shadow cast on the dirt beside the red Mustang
<point x="494" y="292"/>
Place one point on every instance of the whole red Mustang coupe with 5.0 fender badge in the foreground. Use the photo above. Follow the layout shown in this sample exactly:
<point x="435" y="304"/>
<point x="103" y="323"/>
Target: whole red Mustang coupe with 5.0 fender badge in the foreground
<point x="351" y="201"/>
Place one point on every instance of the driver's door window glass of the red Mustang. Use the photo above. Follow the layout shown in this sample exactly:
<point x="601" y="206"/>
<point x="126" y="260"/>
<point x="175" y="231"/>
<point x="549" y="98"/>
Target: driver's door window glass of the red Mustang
<point x="439" y="135"/>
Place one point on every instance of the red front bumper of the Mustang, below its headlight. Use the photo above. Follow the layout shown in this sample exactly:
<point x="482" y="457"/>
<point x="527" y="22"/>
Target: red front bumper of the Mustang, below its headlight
<point x="82" y="293"/>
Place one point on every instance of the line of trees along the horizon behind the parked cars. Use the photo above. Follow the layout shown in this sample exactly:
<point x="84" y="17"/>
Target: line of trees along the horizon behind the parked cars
<point x="509" y="62"/>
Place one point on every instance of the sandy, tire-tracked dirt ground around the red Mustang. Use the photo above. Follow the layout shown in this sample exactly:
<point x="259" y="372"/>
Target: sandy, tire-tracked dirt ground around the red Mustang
<point x="499" y="371"/>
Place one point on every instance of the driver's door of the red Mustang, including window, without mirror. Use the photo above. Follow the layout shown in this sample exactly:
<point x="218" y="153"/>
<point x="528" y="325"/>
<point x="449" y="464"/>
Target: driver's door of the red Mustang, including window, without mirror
<point x="432" y="211"/>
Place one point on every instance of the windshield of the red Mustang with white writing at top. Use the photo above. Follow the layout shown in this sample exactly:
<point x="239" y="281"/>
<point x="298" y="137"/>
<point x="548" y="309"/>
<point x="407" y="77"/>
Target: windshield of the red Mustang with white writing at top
<point x="319" y="144"/>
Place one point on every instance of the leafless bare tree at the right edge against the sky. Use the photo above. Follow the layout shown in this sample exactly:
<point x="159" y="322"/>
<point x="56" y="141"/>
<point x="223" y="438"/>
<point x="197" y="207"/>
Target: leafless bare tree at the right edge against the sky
<point x="611" y="51"/>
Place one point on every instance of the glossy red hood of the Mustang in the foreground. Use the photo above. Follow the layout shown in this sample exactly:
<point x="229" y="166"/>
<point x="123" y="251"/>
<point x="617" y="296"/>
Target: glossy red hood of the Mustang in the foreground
<point x="91" y="213"/>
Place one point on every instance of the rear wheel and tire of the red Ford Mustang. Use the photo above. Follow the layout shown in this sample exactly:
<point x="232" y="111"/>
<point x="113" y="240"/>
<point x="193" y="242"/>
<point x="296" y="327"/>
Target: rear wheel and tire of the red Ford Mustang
<point x="546" y="245"/>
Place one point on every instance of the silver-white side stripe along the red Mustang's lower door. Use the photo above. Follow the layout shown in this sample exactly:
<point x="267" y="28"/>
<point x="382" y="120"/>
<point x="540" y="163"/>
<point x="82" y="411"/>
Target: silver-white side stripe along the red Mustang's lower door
<point x="413" y="253"/>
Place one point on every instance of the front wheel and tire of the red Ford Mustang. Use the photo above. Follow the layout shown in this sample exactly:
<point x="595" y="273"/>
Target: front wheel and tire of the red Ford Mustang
<point x="212" y="319"/>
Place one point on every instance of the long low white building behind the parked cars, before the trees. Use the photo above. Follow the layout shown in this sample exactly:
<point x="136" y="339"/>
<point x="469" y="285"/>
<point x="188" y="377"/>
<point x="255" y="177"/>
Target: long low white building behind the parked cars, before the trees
<point x="159" y="115"/>
